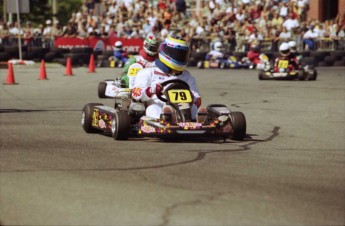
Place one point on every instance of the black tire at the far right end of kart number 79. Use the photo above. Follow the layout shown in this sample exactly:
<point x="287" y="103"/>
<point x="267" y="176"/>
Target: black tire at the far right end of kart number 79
<point x="239" y="126"/>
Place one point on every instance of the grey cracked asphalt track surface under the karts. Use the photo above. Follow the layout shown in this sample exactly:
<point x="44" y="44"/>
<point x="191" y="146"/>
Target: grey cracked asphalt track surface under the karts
<point x="290" y="170"/>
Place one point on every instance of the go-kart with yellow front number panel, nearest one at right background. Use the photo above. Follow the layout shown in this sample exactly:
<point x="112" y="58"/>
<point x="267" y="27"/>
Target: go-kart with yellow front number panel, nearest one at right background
<point x="286" y="71"/>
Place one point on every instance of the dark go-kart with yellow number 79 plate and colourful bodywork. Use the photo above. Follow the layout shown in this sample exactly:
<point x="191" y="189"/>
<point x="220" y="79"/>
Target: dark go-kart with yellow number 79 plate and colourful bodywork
<point x="127" y="117"/>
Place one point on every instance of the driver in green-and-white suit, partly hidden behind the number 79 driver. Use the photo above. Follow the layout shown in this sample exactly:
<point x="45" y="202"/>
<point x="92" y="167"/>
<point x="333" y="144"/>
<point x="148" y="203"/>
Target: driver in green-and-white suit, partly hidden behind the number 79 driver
<point x="146" y="57"/>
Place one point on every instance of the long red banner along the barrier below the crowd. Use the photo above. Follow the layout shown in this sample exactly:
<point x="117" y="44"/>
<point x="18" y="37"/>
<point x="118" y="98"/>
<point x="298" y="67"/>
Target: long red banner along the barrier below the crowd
<point x="100" y="44"/>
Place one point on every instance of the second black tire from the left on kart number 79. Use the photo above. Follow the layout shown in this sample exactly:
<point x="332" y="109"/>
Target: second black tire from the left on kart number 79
<point x="120" y="125"/>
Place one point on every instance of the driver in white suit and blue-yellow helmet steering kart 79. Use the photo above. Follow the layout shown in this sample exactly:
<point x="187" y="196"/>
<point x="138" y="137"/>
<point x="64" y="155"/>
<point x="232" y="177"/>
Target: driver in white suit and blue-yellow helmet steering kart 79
<point x="171" y="64"/>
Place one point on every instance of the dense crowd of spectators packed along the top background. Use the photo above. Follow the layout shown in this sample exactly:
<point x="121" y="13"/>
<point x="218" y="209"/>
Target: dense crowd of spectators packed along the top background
<point x="237" y="23"/>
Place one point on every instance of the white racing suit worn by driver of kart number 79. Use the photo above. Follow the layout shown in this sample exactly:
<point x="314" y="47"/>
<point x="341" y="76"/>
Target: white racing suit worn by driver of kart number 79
<point x="149" y="77"/>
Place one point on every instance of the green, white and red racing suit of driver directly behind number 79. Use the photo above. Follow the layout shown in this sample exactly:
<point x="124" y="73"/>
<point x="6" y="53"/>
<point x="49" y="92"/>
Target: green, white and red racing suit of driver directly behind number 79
<point x="143" y="59"/>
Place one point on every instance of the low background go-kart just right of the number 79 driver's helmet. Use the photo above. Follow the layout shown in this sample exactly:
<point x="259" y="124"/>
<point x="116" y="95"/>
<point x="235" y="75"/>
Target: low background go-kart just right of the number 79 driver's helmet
<point x="230" y="62"/>
